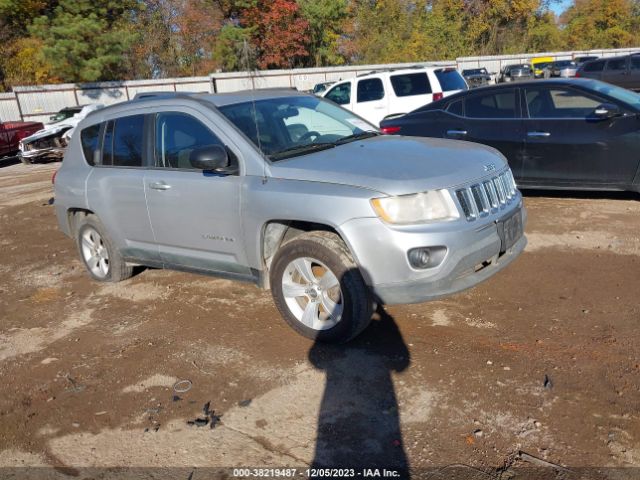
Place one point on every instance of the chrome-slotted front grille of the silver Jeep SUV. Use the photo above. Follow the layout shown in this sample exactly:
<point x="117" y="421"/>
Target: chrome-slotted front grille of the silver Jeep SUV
<point x="488" y="196"/>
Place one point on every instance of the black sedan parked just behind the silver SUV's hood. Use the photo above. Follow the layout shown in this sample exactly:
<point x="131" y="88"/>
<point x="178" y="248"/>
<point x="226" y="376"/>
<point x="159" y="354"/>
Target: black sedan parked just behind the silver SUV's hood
<point x="572" y="134"/>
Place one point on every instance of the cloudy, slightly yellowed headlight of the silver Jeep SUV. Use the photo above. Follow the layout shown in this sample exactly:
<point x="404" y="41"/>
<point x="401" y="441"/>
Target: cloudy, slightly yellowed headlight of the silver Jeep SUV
<point x="417" y="208"/>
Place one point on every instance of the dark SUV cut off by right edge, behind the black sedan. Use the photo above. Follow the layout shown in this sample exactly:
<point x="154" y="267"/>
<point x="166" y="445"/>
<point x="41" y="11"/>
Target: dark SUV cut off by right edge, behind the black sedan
<point x="621" y="71"/>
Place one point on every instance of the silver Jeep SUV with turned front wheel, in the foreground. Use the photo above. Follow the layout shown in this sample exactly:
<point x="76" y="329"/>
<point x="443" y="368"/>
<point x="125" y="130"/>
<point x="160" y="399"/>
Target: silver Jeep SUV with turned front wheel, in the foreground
<point x="291" y="192"/>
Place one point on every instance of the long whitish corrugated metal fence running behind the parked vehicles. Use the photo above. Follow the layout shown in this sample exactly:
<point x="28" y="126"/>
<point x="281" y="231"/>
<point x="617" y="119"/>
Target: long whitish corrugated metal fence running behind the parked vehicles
<point x="38" y="103"/>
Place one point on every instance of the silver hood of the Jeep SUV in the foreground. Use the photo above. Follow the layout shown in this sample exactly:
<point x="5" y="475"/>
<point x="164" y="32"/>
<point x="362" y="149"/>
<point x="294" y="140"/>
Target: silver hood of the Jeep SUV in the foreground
<point x="394" y="165"/>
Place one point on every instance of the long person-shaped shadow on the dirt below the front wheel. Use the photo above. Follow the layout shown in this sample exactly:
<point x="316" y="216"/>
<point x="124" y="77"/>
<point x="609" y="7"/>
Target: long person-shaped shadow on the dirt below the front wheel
<point x="359" y="421"/>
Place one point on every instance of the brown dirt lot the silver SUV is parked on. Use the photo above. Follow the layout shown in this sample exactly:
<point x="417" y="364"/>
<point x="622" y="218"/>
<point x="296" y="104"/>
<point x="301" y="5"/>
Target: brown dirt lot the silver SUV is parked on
<point x="87" y="369"/>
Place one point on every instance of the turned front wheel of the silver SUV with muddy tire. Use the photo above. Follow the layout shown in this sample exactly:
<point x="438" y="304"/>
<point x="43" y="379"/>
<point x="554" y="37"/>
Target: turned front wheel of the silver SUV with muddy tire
<point x="318" y="288"/>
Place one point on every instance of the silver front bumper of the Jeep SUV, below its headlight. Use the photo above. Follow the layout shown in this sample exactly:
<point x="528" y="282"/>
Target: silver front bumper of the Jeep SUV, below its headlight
<point x="473" y="255"/>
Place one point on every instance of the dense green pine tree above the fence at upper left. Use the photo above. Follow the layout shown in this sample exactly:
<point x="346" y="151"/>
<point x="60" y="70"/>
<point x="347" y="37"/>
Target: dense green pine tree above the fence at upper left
<point x="86" y="40"/>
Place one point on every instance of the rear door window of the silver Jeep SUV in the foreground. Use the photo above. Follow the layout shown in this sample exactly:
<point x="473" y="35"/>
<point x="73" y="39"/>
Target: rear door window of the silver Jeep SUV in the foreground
<point x="123" y="142"/>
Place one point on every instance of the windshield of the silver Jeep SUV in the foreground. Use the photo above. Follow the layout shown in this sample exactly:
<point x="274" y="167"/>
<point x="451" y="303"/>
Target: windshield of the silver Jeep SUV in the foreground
<point x="291" y="126"/>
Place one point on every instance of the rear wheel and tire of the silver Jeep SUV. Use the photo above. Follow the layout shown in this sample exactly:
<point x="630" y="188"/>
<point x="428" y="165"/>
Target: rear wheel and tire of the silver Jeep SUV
<point x="98" y="253"/>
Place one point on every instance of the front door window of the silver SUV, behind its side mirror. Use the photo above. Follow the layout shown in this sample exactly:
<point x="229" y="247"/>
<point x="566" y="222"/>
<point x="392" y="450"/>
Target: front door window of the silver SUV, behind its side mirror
<point x="177" y="135"/>
